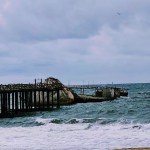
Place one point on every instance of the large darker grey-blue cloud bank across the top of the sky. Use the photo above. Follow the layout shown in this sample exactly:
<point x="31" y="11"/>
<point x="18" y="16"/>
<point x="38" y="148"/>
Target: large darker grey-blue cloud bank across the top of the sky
<point x="38" y="20"/>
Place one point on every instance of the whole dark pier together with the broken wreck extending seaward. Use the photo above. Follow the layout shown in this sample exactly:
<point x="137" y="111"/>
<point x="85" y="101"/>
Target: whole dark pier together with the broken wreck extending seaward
<point x="19" y="99"/>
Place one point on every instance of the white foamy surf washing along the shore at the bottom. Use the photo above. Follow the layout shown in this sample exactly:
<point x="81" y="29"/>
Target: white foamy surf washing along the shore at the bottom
<point x="75" y="136"/>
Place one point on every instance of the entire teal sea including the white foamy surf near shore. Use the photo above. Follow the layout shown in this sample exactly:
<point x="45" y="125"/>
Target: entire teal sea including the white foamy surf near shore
<point x="121" y="123"/>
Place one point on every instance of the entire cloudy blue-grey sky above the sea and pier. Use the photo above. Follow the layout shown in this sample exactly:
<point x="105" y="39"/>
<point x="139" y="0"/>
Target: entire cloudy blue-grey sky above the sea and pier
<point x="76" y="41"/>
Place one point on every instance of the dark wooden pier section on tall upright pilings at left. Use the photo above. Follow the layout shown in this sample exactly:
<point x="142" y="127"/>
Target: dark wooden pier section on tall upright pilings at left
<point x="16" y="99"/>
